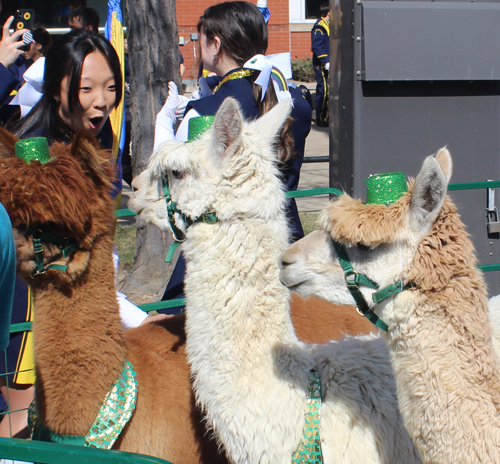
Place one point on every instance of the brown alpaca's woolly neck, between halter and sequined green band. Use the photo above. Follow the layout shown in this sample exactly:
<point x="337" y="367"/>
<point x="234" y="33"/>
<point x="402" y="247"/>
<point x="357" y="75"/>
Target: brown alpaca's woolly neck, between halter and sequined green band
<point x="79" y="347"/>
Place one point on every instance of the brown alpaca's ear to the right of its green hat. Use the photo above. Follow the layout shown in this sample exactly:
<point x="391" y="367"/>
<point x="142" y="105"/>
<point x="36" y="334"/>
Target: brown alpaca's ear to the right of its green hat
<point x="85" y="148"/>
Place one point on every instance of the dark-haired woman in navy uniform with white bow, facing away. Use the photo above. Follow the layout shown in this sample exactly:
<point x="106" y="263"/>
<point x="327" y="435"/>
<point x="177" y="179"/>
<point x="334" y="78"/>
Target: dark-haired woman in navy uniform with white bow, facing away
<point x="233" y="39"/>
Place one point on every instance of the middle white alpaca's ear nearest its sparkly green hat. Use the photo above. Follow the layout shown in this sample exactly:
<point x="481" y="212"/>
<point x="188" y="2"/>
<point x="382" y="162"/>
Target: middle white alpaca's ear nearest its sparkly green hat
<point x="227" y="128"/>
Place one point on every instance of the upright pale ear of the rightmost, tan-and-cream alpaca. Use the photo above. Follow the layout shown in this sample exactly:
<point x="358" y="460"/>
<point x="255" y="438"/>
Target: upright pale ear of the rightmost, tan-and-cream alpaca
<point x="430" y="189"/>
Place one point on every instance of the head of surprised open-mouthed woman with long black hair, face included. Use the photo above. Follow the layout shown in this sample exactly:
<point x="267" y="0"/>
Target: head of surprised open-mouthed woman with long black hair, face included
<point x="81" y="86"/>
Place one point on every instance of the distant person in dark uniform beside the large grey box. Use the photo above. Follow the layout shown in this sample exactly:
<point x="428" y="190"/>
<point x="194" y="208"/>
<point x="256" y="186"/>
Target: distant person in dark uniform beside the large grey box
<point x="320" y="38"/>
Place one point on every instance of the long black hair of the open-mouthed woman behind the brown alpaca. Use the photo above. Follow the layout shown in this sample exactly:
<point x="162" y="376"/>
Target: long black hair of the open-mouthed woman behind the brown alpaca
<point x="65" y="59"/>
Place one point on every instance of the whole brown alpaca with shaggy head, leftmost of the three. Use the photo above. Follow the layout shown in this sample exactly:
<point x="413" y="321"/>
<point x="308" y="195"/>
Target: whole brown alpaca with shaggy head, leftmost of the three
<point x="80" y="346"/>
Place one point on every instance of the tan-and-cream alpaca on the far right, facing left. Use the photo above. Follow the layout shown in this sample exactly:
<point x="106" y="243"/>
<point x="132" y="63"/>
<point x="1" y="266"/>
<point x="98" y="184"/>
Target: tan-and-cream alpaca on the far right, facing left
<point x="439" y="335"/>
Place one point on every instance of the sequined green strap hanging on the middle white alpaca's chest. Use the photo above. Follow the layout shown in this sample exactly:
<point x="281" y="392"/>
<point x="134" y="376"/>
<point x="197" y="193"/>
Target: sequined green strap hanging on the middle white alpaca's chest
<point x="309" y="450"/>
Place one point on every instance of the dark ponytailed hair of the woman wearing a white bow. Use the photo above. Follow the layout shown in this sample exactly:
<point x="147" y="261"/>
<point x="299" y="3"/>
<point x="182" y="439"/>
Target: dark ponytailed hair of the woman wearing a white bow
<point x="243" y="33"/>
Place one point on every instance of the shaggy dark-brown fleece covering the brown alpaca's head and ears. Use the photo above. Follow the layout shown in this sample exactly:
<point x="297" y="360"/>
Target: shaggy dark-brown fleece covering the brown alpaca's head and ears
<point x="59" y="190"/>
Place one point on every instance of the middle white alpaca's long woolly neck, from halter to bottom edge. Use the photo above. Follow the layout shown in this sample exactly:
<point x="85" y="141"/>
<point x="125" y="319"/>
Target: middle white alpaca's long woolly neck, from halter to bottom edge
<point x="240" y="339"/>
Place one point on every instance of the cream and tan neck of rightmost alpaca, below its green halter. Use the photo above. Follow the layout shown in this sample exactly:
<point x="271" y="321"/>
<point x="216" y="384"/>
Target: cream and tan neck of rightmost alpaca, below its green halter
<point x="447" y="373"/>
